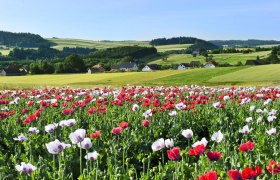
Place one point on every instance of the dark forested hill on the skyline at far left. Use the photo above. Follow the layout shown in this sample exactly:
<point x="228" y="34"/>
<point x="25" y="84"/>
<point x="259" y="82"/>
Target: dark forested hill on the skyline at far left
<point x="26" y="40"/>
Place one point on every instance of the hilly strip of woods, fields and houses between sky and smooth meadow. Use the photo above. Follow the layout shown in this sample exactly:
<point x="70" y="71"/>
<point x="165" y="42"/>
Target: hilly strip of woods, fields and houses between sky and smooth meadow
<point x="26" y="53"/>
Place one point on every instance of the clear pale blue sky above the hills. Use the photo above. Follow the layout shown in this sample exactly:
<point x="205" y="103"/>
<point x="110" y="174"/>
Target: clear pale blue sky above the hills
<point x="143" y="19"/>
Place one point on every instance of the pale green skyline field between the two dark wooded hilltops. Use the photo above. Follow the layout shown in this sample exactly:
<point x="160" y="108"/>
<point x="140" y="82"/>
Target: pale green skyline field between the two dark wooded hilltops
<point x="93" y="44"/>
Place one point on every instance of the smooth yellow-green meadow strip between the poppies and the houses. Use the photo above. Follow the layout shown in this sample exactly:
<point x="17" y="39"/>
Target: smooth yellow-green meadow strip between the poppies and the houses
<point x="259" y="75"/>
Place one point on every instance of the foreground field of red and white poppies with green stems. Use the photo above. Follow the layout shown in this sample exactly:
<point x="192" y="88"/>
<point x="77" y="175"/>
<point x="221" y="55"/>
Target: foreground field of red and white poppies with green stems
<point x="135" y="132"/>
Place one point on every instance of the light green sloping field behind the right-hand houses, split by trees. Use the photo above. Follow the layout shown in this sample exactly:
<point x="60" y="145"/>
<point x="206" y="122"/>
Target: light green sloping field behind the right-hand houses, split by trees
<point x="232" y="59"/>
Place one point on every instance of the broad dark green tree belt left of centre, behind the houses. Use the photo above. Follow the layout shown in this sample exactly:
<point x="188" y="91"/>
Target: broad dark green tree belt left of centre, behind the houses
<point x="45" y="60"/>
